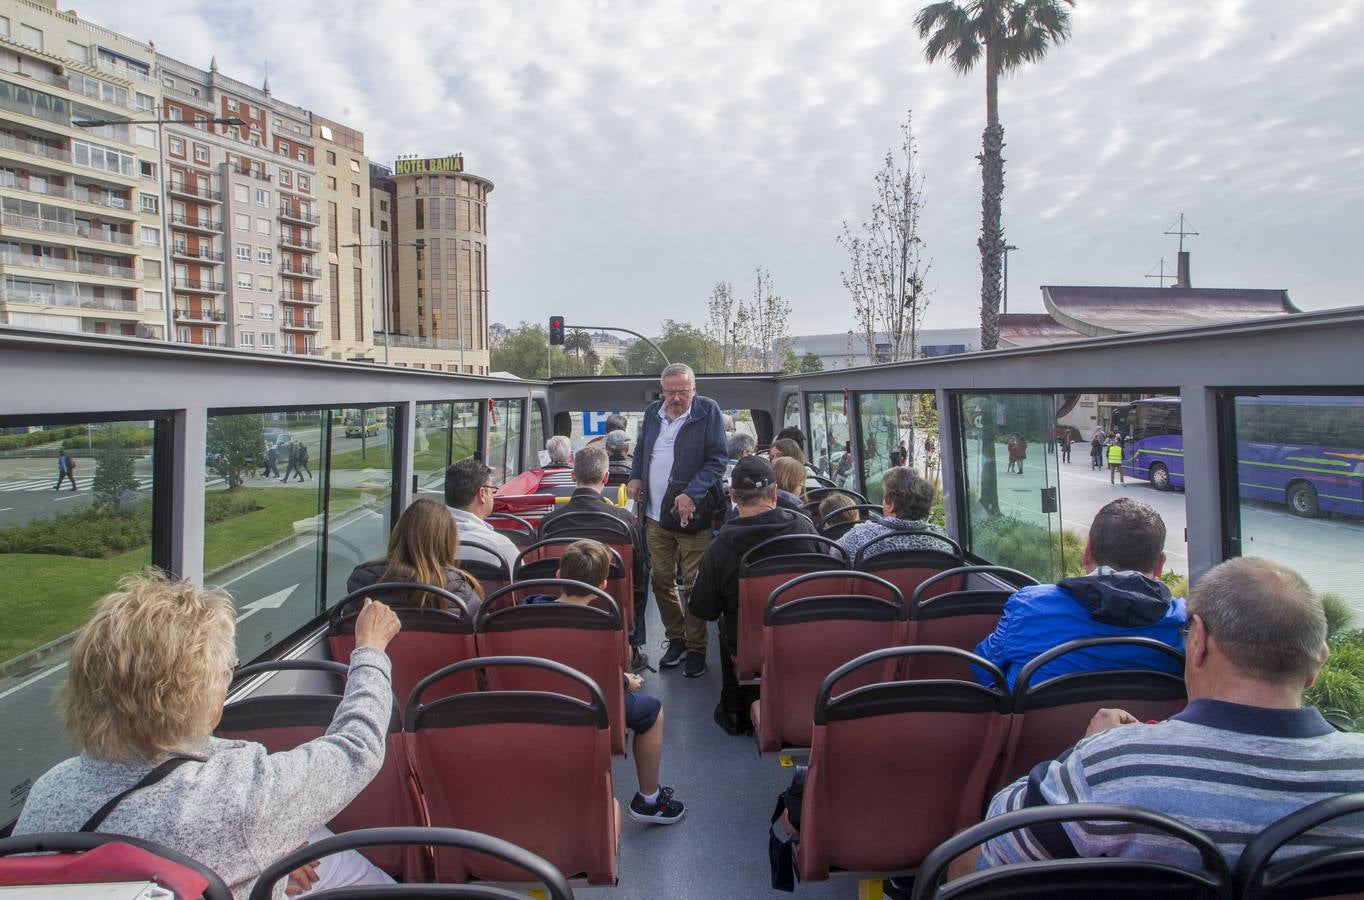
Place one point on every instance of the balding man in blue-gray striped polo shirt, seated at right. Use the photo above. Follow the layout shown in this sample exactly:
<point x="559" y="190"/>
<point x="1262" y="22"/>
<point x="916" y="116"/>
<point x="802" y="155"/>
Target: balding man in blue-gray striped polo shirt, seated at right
<point x="1243" y="755"/>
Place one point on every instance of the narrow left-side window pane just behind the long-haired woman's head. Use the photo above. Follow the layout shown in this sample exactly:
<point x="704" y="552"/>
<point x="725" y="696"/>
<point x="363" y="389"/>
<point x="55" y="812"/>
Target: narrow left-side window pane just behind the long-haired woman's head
<point x="361" y="492"/>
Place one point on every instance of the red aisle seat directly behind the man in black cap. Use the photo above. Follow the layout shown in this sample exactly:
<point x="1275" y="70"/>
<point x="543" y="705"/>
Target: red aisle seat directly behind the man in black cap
<point x="766" y="568"/>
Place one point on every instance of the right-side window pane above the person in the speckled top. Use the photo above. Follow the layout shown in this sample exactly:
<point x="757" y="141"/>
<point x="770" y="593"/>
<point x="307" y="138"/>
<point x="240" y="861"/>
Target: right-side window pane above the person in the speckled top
<point x="898" y="430"/>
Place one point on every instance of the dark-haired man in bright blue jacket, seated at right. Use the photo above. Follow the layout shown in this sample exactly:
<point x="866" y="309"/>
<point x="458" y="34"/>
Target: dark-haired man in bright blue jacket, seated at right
<point x="1122" y="595"/>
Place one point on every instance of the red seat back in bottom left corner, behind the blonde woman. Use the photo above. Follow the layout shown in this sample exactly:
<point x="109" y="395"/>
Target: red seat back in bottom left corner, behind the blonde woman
<point x="87" y="858"/>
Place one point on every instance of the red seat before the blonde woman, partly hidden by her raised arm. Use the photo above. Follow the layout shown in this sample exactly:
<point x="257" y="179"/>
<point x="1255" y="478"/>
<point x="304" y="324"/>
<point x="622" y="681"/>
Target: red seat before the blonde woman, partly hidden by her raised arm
<point x="284" y="722"/>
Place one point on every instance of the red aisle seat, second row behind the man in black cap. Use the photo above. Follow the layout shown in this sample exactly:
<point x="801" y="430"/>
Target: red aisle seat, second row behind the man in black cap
<point x="808" y="639"/>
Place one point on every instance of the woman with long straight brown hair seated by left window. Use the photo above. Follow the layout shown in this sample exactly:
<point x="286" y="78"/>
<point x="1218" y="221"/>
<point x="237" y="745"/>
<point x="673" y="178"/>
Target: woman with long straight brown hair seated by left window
<point x="425" y="546"/>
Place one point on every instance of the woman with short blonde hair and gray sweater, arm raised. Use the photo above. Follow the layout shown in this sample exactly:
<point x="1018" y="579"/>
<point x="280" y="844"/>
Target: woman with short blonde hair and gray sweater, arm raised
<point x="145" y="689"/>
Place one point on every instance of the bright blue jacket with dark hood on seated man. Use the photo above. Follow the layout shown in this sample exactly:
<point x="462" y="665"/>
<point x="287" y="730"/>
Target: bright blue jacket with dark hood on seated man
<point x="1101" y="605"/>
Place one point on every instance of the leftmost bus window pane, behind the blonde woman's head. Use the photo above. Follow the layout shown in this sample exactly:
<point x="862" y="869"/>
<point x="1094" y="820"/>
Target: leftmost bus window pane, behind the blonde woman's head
<point x="69" y="531"/>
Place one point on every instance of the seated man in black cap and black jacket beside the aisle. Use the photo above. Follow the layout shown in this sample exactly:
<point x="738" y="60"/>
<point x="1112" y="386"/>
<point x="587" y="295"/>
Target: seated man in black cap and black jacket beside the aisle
<point x="717" y="591"/>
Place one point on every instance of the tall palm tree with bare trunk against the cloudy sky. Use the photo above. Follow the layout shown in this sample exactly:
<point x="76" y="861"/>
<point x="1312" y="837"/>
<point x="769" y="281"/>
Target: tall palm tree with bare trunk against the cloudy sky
<point x="1010" y="33"/>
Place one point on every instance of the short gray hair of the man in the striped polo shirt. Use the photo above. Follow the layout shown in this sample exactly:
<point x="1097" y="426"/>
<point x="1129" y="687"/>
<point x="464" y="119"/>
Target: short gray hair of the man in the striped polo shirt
<point x="1264" y="618"/>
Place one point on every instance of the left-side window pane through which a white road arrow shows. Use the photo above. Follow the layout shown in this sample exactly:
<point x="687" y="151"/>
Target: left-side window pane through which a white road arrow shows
<point x="261" y="532"/>
